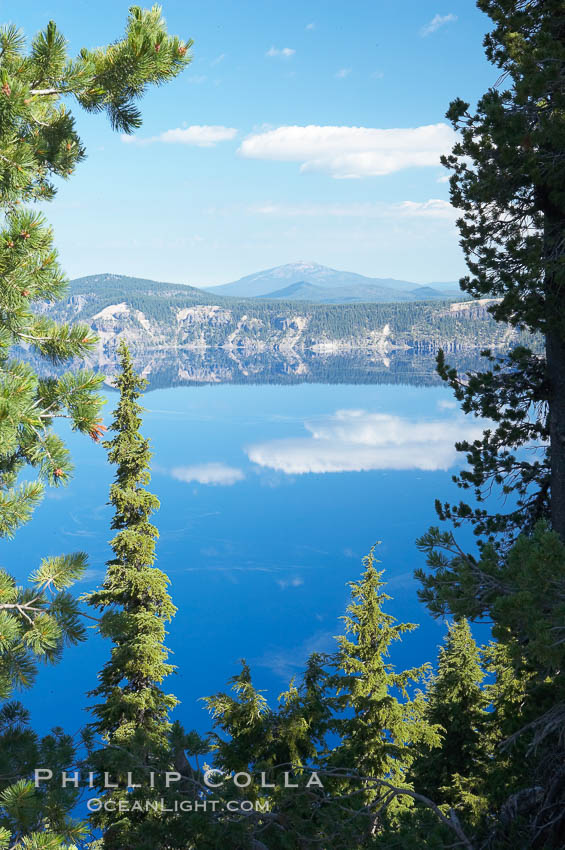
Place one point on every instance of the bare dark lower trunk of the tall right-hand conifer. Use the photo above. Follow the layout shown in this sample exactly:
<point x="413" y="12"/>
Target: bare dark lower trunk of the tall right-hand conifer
<point x="555" y="356"/>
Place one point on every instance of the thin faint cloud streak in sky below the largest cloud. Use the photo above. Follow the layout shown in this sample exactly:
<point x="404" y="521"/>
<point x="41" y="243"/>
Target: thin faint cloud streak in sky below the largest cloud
<point x="433" y="208"/>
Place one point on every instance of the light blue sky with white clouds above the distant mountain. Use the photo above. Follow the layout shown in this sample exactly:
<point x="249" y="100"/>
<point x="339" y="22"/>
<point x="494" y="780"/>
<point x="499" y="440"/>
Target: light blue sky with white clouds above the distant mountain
<point x="279" y="154"/>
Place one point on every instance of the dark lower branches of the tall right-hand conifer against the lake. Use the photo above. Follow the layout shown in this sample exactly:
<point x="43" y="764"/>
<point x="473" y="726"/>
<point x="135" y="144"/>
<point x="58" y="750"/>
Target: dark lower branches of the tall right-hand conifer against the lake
<point x="512" y="453"/>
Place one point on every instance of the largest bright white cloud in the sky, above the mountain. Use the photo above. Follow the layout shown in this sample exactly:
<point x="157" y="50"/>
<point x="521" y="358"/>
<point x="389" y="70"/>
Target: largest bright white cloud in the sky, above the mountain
<point x="349" y="152"/>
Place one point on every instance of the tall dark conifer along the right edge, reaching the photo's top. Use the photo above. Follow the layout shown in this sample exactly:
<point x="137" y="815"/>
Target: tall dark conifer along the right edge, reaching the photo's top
<point x="507" y="183"/>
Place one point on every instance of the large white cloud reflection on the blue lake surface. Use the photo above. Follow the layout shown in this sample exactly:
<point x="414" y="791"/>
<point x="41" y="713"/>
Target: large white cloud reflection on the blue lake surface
<point x="356" y="441"/>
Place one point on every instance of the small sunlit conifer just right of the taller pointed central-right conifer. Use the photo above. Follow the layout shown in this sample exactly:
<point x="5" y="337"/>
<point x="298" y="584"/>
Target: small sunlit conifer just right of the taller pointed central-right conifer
<point x="456" y="702"/>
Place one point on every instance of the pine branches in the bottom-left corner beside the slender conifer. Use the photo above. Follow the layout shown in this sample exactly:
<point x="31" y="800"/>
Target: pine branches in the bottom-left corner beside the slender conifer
<point x="36" y="624"/>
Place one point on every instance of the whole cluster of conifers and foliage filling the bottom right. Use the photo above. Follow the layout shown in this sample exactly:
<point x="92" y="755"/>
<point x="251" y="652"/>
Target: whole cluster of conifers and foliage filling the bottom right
<point x="474" y="761"/>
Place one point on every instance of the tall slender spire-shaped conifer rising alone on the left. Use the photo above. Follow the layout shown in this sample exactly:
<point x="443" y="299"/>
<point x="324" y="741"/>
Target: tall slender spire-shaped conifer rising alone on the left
<point x="132" y="715"/>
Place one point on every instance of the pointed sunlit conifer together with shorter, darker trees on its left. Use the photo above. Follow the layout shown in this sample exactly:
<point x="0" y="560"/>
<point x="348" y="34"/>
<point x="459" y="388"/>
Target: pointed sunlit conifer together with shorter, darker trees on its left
<point x="339" y="749"/>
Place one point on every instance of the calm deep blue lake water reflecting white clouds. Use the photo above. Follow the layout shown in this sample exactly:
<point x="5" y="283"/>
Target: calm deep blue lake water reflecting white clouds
<point x="270" y="497"/>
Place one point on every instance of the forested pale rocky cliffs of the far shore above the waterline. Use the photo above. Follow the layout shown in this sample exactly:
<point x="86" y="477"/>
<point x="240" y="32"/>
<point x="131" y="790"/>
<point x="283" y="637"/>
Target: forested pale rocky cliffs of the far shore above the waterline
<point x="166" y="321"/>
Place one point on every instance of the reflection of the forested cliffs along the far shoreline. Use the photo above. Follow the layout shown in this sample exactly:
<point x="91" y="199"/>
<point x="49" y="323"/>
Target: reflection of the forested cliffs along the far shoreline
<point x="215" y="366"/>
